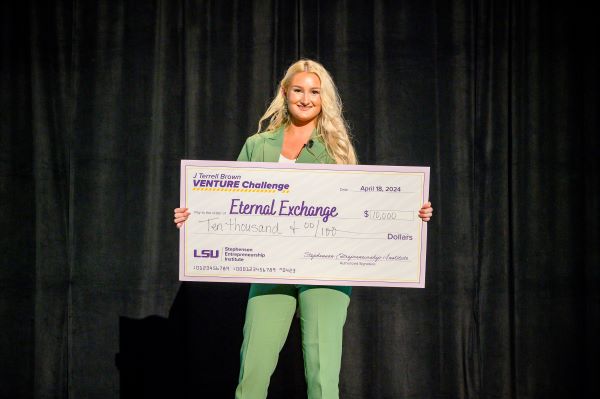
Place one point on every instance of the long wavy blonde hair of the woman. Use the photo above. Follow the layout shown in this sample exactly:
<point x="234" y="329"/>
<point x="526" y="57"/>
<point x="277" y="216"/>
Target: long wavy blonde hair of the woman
<point x="331" y="125"/>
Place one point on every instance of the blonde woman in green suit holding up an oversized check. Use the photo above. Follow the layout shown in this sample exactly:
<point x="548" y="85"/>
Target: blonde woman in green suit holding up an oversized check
<point x="305" y="125"/>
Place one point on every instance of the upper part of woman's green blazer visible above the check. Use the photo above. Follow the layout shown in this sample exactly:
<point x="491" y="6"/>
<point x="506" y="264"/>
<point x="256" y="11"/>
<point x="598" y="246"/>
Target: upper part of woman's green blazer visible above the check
<point x="266" y="147"/>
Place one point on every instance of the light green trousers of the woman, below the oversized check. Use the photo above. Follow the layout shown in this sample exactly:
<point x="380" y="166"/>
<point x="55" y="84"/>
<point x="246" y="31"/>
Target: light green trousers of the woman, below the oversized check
<point x="268" y="318"/>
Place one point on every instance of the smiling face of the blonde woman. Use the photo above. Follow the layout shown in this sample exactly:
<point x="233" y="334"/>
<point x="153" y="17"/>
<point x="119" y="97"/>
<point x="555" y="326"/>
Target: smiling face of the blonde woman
<point x="303" y="97"/>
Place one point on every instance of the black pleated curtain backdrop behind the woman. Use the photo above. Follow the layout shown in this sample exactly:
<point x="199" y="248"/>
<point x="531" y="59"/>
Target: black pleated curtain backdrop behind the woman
<point x="100" y="101"/>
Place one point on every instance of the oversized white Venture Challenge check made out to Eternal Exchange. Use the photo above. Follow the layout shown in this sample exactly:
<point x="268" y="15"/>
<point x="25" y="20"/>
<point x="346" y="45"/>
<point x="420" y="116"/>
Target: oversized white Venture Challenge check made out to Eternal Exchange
<point x="303" y="223"/>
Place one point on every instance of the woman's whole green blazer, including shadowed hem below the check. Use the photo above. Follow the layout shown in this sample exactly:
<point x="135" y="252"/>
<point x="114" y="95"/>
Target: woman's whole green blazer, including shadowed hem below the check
<point x="266" y="147"/>
